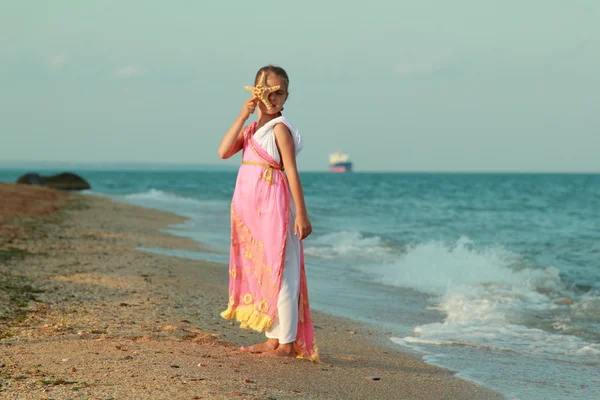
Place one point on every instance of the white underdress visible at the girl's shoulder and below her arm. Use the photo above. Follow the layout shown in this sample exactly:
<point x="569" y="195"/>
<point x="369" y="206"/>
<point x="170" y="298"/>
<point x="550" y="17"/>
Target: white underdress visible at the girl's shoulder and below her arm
<point x="285" y="325"/>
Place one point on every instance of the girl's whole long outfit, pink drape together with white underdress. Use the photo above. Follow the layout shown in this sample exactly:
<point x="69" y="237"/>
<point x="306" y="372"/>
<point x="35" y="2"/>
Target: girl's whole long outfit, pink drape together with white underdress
<point x="266" y="264"/>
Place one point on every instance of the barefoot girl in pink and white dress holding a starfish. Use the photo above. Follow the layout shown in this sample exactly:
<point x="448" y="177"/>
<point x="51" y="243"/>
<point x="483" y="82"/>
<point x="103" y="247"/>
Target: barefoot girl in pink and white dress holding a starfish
<point x="267" y="285"/>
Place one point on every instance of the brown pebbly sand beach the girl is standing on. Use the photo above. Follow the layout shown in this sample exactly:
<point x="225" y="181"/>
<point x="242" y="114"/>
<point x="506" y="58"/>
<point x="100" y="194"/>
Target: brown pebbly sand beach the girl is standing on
<point x="85" y="314"/>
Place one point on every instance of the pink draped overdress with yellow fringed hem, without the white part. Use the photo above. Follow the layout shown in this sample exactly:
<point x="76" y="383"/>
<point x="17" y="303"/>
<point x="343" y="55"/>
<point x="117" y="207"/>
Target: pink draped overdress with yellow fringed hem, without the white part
<point x="260" y="226"/>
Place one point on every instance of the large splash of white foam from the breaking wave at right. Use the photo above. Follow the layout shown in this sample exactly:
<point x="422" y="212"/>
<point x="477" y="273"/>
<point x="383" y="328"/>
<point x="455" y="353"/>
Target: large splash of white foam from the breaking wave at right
<point x="490" y="299"/>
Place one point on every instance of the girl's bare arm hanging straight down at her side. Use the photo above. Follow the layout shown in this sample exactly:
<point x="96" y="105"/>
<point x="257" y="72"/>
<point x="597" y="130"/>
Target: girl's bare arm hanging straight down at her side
<point x="287" y="150"/>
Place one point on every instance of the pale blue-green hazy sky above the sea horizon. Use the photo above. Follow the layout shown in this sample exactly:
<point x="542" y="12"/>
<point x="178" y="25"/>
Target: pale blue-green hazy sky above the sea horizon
<point x="420" y="85"/>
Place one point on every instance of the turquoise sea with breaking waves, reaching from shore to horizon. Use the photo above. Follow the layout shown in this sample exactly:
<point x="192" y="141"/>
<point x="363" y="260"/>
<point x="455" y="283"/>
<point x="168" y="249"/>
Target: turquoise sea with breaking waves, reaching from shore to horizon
<point x="494" y="276"/>
